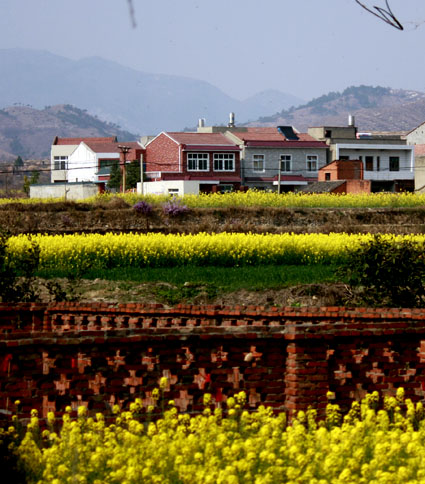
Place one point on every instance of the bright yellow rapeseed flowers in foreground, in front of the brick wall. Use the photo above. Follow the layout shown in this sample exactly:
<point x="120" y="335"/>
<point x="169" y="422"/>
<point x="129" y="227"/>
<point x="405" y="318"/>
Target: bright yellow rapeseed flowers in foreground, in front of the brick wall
<point x="367" y="446"/>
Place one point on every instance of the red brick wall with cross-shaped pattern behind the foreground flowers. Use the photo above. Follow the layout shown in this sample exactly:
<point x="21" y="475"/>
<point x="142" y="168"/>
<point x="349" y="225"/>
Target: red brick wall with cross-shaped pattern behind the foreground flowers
<point x="99" y="354"/>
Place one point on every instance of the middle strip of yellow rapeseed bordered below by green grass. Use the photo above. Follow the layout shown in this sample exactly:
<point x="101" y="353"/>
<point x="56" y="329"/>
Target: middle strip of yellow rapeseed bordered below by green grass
<point x="97" y="251"/>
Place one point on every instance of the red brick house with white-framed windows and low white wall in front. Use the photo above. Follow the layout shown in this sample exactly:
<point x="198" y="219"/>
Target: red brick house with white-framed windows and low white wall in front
<point x="182" y="163"/>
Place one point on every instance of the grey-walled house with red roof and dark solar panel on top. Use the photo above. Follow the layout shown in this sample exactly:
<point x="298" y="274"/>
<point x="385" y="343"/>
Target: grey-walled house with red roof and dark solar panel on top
<point x="281" y="156"/>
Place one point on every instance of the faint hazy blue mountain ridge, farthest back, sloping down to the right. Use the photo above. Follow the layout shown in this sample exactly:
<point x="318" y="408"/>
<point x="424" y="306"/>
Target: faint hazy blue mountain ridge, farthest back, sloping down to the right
<point x="139" y="102"/>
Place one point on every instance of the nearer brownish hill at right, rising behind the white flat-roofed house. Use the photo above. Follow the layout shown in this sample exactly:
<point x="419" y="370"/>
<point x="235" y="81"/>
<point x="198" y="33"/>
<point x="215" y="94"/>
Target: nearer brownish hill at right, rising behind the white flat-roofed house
<point x="374" y="108"/>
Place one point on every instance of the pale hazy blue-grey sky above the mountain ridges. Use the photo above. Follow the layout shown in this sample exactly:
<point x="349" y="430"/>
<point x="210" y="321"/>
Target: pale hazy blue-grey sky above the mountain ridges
<point x="303" y="47"/>
